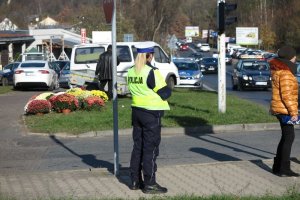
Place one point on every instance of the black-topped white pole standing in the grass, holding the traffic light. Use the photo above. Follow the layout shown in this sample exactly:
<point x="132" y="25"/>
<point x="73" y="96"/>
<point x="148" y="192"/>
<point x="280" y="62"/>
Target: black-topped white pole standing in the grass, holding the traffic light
<point x="221" y="58"/>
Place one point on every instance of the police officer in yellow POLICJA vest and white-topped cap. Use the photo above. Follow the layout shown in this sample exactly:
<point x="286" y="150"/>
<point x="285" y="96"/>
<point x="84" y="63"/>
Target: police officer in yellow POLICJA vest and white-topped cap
<point x="149" y="93"/>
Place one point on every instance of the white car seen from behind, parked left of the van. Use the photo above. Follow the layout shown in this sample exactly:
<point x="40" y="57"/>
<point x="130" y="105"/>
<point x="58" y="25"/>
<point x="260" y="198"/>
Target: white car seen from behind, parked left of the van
<point x="35" y="74"/>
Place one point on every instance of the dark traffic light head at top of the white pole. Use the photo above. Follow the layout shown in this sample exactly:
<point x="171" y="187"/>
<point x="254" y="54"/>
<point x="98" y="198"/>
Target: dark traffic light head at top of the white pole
<point x="224" y="19"/>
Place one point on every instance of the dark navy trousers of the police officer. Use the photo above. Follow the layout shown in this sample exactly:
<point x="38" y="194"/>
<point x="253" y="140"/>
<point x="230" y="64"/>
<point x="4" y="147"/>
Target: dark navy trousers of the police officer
<point x="146" y="139"/>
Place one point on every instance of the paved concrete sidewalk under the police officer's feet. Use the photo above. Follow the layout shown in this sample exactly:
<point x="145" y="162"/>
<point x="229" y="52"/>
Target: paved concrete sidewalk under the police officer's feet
<point x="237" y="178"/>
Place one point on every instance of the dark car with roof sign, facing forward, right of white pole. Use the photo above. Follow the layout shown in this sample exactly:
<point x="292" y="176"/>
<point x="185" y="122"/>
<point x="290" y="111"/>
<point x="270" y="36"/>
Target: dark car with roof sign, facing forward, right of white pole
<point x="251" y="73"/>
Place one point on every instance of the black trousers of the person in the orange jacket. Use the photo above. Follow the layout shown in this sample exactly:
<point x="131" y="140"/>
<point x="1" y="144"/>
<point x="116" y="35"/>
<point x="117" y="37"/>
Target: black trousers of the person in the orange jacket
<point x="285" y="146"/>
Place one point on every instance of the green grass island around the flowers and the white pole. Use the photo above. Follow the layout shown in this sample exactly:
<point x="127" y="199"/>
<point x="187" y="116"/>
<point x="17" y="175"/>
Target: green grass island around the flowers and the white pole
<point x="189" y="108"/>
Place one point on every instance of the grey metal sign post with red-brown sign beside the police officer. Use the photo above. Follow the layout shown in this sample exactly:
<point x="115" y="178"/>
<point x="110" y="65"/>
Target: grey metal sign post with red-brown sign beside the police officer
<point x="109" y="7"/>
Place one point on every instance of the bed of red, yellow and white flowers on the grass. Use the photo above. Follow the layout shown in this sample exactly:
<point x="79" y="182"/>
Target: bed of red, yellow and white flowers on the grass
<point x="72" y="99"/>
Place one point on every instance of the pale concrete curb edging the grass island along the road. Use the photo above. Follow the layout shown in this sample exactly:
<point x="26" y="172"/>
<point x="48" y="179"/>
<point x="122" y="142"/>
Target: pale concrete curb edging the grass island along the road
<point x="201" y="130"/>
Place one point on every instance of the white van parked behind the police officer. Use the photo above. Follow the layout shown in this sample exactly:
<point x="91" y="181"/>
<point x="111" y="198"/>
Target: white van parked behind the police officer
<point x="84" y="58"/>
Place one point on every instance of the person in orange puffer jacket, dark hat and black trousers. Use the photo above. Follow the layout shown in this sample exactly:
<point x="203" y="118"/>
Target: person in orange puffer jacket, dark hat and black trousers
<point x="284" y="103"/>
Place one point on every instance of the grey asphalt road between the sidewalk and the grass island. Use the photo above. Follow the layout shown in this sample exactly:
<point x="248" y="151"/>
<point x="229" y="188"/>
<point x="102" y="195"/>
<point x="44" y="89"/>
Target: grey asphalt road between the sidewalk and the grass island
<point x="20" y="151"/>
